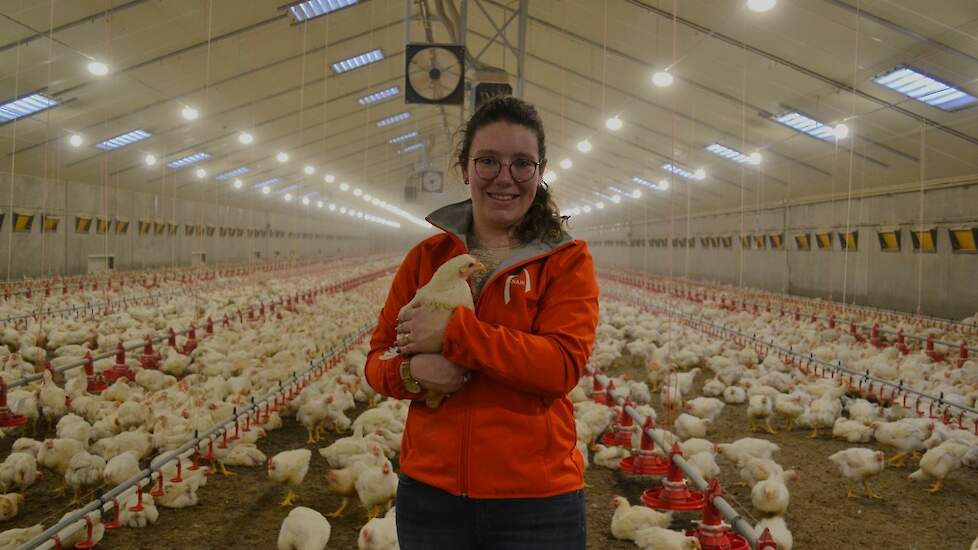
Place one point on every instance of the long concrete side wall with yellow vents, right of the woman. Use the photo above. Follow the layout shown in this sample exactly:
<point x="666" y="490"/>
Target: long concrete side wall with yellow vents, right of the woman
<point x="948" y="282"/>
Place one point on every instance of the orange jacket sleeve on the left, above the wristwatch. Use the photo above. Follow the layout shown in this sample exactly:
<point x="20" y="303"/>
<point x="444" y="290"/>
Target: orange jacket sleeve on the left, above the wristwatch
<point x="384" y="375"/>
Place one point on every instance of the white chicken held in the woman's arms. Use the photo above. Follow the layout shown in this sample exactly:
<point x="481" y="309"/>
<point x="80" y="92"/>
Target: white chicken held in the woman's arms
<point x="447" y="289"/>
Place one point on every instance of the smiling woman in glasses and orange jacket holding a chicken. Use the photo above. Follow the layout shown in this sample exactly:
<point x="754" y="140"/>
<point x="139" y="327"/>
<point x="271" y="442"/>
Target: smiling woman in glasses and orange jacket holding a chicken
<point x="495" y="465"/>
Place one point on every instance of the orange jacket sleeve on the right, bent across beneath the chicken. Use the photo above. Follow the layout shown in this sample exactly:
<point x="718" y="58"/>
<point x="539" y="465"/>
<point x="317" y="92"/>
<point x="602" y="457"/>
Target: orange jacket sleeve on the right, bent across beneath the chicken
<point x="549" y="361"/>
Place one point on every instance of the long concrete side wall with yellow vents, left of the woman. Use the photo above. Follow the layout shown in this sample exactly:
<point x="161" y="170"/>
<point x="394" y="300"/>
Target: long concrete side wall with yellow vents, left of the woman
<point x="65" y="252"/>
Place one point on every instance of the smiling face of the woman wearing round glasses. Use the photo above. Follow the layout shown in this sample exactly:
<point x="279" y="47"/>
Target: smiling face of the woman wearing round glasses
<point x="501" y="202"/>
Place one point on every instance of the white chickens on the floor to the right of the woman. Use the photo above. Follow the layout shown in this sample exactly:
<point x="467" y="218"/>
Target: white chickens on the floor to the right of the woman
<point x="764" y="389"/>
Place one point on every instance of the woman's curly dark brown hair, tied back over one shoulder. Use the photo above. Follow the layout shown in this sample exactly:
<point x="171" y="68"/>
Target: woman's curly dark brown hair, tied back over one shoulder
<point x="542" y="221"/>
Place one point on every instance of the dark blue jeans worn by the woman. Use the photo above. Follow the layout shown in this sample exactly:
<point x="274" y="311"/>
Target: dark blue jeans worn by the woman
<point x="431" y="519"/>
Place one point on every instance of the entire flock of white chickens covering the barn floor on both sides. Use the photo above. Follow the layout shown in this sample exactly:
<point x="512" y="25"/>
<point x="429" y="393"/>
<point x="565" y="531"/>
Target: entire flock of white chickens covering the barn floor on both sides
<point x="103" y="439"/>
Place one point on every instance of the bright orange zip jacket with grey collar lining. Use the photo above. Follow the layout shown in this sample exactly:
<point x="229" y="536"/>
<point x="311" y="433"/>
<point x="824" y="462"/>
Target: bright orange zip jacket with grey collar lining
<point x="509" y="432"/>
